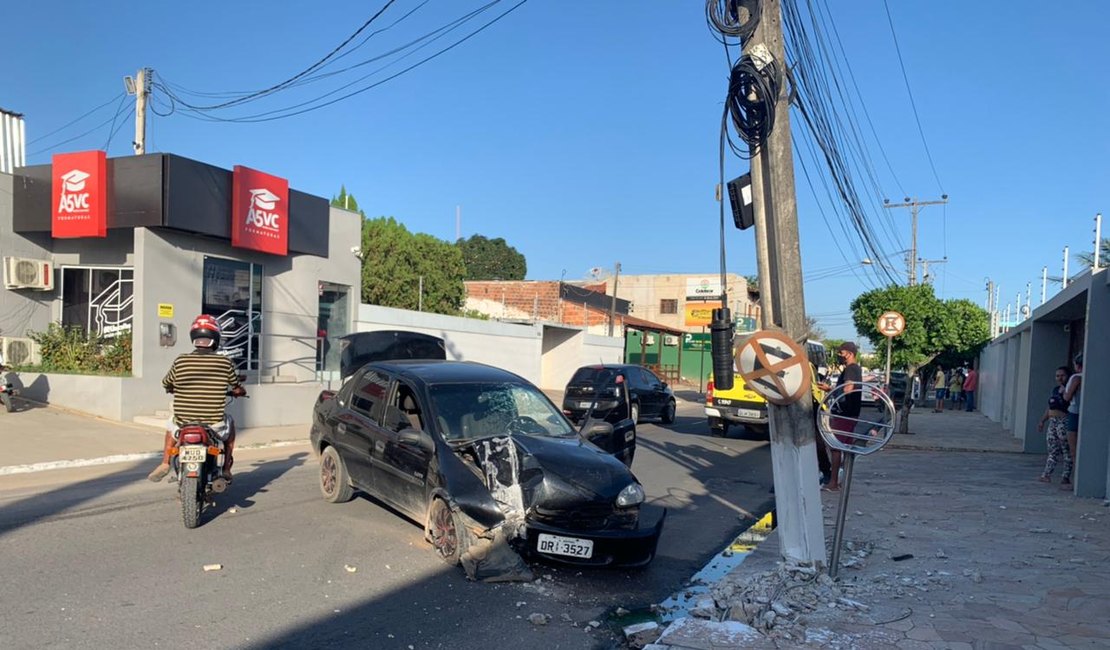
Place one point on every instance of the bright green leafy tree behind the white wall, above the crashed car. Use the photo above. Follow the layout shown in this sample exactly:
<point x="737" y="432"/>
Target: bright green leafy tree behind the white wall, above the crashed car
<point x="397" y="265"/>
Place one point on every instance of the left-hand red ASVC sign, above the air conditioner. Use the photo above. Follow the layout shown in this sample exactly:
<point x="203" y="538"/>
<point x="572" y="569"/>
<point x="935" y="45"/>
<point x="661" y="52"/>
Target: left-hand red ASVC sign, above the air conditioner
<point x="80" y="196"/>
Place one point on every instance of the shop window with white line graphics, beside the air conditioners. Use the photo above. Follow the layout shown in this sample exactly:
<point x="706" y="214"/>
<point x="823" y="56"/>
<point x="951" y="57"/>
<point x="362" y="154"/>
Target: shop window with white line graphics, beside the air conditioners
<point x="98" y="300"/>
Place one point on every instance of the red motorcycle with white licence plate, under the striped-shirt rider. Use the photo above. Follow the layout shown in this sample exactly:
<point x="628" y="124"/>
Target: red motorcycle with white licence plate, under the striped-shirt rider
<point x="198" y="463"/>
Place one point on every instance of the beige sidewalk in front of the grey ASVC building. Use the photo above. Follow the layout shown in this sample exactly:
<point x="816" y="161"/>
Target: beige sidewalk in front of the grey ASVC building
<point x="37" y="439"/>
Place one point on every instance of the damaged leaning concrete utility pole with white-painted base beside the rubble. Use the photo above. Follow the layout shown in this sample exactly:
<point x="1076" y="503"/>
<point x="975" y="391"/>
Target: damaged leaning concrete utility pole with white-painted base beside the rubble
<point x="793" y="433"/>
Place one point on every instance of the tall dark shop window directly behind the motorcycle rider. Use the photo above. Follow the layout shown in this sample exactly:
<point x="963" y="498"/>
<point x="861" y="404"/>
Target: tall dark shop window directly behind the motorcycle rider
<point x="233" y="293"/>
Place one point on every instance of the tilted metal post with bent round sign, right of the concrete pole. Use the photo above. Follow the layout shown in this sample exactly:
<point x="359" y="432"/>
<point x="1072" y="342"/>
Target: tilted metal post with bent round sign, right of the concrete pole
<point x="867" y="436"/>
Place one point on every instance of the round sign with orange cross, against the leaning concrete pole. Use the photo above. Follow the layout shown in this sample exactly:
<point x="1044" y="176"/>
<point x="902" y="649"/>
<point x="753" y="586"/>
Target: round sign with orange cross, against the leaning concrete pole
<point x="775" y="367"/>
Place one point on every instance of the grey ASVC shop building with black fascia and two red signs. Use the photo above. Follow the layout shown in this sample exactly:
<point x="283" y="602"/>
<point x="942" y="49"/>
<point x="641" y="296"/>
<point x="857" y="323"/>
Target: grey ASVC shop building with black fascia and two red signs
<point x="140" y="246"/>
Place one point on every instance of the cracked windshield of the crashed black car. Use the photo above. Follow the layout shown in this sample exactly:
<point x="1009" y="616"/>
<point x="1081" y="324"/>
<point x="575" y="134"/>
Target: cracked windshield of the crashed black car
<point x="467" y="412"/>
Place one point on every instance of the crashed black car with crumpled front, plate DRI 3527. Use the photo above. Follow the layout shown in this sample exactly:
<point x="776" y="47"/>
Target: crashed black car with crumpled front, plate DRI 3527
<point x="478" y="454"/>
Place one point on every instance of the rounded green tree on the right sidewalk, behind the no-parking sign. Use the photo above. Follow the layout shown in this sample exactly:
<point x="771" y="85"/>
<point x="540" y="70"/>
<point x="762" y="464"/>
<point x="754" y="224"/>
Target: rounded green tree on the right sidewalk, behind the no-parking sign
<point x="934" y="328"/>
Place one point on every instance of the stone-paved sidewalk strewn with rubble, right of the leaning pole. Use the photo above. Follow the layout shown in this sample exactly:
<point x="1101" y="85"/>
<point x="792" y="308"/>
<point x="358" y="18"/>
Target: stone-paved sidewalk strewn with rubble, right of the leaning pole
<point x="951" y="543"/>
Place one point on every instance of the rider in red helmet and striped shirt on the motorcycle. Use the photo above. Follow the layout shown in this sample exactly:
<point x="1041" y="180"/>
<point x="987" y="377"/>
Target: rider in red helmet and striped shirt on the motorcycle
<point x="199" y="381"/>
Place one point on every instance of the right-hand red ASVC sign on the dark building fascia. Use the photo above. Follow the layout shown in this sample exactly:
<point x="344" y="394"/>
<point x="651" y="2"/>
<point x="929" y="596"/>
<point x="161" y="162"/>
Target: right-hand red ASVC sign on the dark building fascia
<point x="260" y="212"/>
